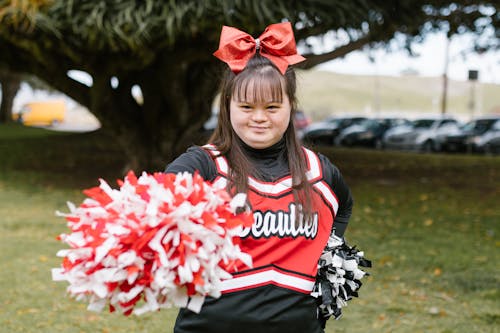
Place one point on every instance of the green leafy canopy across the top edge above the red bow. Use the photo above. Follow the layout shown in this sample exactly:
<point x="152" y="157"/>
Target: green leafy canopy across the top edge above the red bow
<point x="130" y="25"/>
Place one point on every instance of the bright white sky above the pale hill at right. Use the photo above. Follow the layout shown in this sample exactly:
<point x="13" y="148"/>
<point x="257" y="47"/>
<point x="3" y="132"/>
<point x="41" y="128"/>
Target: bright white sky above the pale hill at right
<point x="430" y="62"/>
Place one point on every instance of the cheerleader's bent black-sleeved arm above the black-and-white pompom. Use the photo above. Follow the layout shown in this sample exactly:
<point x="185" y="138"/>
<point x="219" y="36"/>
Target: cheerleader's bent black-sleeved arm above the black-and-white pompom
<point x="334" y="179"/>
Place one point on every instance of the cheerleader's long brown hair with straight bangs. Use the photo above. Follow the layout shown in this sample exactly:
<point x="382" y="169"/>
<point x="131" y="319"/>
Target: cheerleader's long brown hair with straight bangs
<point x="260" y="81"/>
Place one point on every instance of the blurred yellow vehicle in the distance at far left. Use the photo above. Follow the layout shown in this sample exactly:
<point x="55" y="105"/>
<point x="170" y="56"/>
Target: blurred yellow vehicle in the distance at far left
<point x="41" y="113"/>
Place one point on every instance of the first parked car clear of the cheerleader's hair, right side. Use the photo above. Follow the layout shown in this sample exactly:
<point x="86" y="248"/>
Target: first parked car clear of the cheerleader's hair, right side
<point x="325" y="132"/>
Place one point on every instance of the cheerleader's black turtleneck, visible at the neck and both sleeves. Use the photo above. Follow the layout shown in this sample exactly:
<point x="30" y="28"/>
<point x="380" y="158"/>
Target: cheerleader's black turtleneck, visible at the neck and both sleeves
<point x="272" y="164"/>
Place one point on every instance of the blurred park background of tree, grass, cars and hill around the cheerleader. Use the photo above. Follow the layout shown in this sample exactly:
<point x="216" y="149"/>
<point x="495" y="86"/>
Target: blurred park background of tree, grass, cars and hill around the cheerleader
<point x="402" y="96"/>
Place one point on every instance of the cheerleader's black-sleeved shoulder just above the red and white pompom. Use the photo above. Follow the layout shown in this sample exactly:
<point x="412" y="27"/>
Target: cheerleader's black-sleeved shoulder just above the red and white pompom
<point x="195" y="159"/>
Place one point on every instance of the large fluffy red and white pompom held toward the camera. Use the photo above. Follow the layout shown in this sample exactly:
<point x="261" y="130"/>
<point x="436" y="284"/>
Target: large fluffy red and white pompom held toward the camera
<point x="157" y="241"/>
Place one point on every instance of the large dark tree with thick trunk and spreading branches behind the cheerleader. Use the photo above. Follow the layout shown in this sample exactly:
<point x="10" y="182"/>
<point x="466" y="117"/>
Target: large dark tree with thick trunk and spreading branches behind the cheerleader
<point x="164" y="48"/>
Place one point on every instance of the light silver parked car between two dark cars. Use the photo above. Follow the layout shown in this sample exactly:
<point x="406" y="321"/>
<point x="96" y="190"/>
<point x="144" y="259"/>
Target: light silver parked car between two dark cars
<point x="425" y="134"/>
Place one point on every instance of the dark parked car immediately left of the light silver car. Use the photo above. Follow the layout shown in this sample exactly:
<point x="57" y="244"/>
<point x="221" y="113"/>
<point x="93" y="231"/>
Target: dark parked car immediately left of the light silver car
<point x="368" y="133"/>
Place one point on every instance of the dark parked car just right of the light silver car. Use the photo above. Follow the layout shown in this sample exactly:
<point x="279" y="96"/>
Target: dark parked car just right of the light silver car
<point x="469" y="138"/>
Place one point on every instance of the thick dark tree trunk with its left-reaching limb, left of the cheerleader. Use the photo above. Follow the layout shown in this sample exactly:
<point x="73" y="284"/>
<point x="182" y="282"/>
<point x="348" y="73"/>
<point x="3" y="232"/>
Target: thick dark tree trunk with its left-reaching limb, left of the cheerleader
<point x="178" y="90"/>
